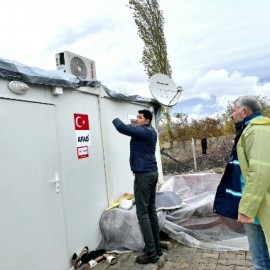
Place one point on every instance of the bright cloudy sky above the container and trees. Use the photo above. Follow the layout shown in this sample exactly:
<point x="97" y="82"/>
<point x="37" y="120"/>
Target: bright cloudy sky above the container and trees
<point x="217" y="49"/>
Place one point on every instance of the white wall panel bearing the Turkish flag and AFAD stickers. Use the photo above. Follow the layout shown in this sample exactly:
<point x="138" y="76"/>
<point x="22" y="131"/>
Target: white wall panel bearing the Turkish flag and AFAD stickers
<point x="84" y="182"/>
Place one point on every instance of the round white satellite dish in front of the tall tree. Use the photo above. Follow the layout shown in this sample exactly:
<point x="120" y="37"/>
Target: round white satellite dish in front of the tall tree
<point x="164" y="89"/>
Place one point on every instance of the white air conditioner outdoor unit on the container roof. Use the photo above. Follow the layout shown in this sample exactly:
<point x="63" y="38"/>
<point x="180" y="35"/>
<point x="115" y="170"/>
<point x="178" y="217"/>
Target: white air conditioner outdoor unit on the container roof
<point x="76" y="65"/>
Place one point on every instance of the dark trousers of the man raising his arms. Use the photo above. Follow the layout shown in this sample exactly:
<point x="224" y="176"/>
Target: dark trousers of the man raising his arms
<point x="145" y="198"/>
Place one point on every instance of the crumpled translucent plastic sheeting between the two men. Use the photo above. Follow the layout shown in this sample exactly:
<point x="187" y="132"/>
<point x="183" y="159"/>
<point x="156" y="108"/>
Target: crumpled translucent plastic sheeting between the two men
<point x="195" y="224"/>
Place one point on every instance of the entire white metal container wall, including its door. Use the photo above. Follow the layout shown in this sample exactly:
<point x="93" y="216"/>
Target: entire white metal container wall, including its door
<point x="37" y="140"/>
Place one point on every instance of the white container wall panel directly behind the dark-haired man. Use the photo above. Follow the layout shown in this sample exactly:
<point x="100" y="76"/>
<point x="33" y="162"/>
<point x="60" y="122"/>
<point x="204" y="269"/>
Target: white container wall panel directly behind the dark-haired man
<point x="117" y="146"/>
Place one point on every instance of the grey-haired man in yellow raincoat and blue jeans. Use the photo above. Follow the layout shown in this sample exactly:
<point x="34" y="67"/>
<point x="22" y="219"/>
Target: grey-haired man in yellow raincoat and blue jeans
<point x="253" y="150"/>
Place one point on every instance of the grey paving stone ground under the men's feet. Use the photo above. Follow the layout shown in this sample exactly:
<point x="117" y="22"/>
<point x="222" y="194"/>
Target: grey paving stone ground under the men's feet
<point x="182" y="257"/>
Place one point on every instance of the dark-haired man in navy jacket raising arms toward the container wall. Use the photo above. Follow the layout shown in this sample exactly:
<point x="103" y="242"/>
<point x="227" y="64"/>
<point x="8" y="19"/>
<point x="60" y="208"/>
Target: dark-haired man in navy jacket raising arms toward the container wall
<point x="144" y="166"/>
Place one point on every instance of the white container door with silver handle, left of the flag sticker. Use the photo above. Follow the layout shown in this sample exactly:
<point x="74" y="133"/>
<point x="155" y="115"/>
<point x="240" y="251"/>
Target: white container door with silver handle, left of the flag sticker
<point x="32" y="221"/>
